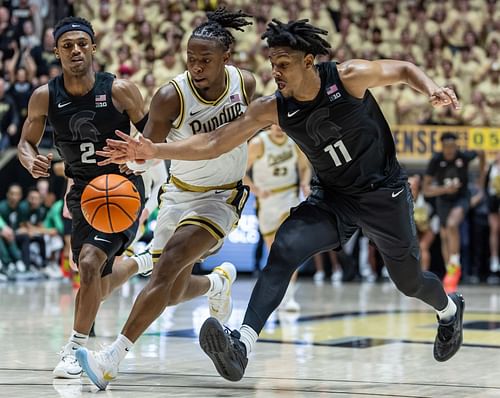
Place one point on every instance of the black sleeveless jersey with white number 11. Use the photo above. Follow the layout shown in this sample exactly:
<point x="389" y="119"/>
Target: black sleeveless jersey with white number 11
<point x="346" y="139"/>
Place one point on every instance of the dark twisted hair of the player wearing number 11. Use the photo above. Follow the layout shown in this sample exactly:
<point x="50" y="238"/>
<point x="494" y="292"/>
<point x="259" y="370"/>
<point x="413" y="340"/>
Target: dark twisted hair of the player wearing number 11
<point x="298" y="35"/>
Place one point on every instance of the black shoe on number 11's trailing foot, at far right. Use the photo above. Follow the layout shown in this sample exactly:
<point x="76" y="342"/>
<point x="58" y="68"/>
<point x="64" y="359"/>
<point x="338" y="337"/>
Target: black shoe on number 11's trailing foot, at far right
<point x="450" y="334"/>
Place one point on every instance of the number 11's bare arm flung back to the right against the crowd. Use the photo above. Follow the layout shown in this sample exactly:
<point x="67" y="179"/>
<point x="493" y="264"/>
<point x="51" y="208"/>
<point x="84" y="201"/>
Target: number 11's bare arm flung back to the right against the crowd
<point x="358" y="75"/>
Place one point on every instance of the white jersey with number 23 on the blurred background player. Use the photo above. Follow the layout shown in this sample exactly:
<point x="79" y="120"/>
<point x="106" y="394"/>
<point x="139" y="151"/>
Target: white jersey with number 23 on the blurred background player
<point x="276" y="170"/>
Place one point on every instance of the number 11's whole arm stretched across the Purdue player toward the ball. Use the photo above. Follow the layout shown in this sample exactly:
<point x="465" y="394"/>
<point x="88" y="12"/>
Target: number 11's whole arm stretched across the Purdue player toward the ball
<point x="261" y="113"/>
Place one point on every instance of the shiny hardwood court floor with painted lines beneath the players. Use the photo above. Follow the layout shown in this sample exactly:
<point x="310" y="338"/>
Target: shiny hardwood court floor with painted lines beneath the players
<point x="352" y="340"/>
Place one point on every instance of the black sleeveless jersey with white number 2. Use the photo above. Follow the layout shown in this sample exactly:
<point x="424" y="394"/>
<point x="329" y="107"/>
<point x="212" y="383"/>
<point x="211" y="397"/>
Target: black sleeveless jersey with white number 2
<point x="82" y="124"/>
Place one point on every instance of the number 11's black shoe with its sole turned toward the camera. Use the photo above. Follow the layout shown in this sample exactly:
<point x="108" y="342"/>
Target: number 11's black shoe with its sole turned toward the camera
<point x="224" y="348"/>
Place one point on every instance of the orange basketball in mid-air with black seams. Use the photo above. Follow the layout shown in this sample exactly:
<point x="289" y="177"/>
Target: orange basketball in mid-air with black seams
<point x="111" y="203"/>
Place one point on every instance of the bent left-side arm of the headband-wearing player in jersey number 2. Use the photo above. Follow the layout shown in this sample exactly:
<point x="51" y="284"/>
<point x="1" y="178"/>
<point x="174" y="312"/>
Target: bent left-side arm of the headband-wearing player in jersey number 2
<point x="34" y="125"/>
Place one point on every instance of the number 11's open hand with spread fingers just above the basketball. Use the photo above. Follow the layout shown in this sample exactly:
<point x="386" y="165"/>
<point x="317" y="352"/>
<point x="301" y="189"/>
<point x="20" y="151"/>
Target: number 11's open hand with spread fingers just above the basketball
<point x="128" y="149"/>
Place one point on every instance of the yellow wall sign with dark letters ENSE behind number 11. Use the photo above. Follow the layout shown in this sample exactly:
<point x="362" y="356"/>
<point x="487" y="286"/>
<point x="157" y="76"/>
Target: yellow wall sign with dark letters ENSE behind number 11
<point x="415" y="142"/>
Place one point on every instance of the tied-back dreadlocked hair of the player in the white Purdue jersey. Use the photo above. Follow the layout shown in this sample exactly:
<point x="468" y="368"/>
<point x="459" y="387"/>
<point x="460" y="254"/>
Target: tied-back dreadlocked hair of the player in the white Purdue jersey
<point x="218" y="22"/>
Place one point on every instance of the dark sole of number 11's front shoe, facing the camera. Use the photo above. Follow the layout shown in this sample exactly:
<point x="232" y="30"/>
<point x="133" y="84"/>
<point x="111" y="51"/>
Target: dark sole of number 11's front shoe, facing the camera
<point x="213" y="342"/>
